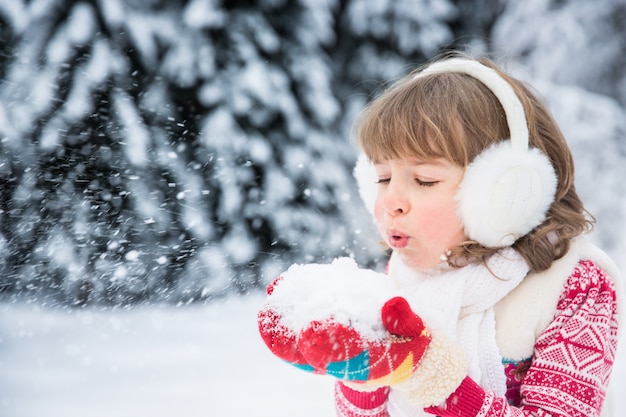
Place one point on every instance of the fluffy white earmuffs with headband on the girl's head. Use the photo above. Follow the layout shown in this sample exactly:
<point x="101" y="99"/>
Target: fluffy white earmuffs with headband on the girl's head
<point x="508" y="188"/>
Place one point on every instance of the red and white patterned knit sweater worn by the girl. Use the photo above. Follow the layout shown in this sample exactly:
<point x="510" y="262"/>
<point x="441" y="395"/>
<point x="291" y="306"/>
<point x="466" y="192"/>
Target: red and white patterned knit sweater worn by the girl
<point x="567" y="375"/>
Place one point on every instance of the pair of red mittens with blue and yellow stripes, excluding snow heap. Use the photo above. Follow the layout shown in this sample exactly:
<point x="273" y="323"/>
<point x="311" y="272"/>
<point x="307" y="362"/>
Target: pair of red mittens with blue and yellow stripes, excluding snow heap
<point x="329" y="347"/>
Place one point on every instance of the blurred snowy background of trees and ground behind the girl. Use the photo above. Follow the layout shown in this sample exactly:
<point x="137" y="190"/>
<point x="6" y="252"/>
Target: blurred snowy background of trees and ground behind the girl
<point x="163" y="160"/>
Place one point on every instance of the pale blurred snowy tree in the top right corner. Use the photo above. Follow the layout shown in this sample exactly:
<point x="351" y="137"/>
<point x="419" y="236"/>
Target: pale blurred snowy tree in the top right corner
<point x="575" y="42"/>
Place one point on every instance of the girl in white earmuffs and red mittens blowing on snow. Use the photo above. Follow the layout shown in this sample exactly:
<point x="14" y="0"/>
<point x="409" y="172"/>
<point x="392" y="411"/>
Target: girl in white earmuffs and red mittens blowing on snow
<point x="475" y="197"/>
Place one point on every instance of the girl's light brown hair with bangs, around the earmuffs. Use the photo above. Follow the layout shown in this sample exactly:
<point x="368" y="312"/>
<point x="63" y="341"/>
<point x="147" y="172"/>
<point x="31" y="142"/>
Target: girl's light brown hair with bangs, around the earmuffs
<point x="455" y="117"/>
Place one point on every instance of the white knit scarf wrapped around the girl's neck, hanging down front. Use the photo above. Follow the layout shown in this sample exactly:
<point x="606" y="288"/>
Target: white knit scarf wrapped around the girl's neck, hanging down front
<point x="459" y="302"/>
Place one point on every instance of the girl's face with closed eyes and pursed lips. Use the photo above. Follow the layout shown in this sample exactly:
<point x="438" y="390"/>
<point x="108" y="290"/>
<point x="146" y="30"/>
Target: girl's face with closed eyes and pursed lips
<point x="416" y="209"/>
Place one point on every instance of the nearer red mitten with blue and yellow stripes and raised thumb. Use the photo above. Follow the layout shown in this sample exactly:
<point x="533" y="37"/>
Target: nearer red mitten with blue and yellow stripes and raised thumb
<point x="341" y="351"/>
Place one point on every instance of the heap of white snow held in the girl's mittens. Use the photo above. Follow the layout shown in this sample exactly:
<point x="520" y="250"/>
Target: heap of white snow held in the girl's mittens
<point x="340" y="290"/>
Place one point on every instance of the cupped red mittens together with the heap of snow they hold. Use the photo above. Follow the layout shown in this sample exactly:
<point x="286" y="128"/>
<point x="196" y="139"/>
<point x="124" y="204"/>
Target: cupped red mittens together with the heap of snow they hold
<point x="343" y="321"/>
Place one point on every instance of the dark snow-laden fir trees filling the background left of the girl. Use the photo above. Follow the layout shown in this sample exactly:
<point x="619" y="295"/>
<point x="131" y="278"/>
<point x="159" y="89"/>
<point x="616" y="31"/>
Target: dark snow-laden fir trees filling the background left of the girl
<point x="180" y="150"/>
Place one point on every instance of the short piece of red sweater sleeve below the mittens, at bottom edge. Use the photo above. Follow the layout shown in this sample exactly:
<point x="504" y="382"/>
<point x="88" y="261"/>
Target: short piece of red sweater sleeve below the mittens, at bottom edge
<point x="353" y="403"/>
